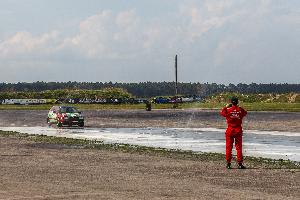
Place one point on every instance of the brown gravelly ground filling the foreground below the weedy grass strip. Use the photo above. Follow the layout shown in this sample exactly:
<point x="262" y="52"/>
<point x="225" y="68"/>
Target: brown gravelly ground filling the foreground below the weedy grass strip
<point x="65" y="173"/>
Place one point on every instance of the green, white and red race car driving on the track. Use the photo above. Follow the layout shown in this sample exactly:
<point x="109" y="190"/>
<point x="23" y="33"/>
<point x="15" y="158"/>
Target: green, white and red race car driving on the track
<point x="65" y="116"/>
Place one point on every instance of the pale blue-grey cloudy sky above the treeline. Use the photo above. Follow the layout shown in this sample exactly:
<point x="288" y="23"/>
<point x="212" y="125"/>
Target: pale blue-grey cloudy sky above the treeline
<point x="217" y="41"/>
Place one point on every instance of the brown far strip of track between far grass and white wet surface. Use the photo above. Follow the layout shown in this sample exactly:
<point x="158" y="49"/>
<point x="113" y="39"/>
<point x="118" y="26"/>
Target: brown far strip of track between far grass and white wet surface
<point x="191" y="118"/>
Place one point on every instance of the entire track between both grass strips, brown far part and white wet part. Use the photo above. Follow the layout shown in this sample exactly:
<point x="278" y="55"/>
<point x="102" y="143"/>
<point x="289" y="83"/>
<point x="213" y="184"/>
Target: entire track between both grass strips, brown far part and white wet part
<point x="267" y="134"/>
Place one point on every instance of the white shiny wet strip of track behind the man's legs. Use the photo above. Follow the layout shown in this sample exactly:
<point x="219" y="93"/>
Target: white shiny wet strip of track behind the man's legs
<point x="267" y="144"/>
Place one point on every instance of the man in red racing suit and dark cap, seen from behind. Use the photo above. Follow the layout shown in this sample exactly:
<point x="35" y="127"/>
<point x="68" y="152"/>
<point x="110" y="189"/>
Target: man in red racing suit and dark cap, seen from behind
<point x="234" y="132"/>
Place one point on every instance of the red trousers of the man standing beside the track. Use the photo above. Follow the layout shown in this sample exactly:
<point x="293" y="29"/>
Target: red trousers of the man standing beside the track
<point x="234" y="134"/>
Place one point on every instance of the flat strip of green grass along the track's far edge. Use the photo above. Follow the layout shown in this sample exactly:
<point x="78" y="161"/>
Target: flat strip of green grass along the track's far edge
<point x="289" y="107"/>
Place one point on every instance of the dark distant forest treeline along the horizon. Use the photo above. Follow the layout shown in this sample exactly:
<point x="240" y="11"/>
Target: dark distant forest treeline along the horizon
<point x="152" y="89"/>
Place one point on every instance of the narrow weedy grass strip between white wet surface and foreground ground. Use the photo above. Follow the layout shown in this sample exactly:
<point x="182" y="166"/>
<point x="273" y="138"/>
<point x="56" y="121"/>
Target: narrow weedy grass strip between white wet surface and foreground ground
<point x="251" y="162"/>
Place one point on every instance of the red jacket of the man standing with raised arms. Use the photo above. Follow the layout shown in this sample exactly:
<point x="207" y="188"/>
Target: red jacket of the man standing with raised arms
<point x="234" y="115"/>
